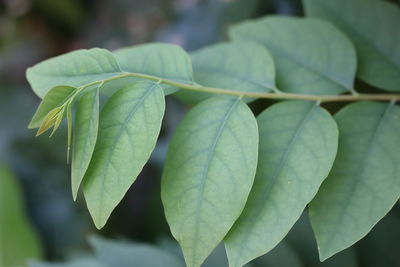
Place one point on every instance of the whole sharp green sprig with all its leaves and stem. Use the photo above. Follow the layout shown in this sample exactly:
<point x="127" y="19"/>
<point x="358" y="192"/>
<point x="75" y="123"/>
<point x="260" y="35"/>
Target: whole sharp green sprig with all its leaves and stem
<point x="229" y="177"/>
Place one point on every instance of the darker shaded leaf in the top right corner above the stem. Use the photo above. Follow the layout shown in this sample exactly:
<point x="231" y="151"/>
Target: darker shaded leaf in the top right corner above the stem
<point x="373" y="26"/>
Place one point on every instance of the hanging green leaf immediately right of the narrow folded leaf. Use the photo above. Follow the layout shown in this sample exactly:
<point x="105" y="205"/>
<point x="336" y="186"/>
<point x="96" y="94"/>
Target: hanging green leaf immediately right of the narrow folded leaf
<point x="128" y="129"/>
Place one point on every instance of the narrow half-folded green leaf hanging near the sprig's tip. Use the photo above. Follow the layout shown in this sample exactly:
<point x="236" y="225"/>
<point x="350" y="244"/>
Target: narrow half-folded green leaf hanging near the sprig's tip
<point x="85" y="136"/>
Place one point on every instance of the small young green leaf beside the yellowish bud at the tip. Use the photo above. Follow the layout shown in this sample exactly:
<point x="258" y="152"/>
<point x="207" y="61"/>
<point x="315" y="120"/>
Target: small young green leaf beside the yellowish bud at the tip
<point x="54" y="98"/>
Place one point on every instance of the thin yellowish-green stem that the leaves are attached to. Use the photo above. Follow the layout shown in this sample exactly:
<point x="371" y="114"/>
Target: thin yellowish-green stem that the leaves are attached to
<point x="277" y="95"/>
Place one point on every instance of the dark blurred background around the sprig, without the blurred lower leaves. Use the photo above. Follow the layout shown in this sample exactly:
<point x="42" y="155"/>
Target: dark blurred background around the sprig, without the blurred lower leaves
<point x="33" y="30"/>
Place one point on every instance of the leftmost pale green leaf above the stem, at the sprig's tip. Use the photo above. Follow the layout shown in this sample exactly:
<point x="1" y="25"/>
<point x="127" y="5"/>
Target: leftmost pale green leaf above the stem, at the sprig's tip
<point x="74" y="69"/>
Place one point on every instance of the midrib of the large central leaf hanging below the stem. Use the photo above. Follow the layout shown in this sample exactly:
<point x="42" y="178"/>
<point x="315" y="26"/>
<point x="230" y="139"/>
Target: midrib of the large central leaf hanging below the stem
<point x="205" y="173"/>
